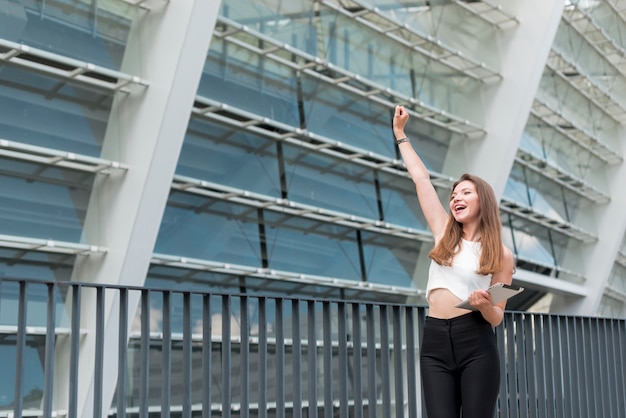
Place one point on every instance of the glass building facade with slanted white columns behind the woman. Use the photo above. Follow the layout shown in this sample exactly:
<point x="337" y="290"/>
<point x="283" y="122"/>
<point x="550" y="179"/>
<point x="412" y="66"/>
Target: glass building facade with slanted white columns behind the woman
<point x="246" y="146"/>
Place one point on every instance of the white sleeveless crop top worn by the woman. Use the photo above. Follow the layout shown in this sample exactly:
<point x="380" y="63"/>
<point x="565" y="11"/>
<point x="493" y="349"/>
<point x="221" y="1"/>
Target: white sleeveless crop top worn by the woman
<point x="461" y="278"/>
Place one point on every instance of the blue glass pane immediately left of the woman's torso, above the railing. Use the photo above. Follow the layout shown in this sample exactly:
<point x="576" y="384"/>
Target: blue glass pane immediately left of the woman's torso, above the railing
<point x="389" y="260"/>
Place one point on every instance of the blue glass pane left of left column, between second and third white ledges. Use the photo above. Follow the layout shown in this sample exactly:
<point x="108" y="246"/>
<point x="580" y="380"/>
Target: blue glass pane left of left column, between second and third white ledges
<point x="42" y="210"/>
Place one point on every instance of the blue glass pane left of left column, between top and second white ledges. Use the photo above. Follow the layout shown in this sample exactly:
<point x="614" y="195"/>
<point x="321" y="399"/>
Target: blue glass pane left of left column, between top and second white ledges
<point x="42" y="111"/>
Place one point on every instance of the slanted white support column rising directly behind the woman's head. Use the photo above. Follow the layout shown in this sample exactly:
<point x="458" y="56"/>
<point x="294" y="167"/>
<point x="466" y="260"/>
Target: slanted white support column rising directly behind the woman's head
<point x="524" y="52"/>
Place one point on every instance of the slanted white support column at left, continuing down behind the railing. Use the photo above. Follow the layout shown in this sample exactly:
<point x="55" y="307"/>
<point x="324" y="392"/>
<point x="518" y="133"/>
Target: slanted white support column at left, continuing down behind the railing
<point x="167" y="46"/>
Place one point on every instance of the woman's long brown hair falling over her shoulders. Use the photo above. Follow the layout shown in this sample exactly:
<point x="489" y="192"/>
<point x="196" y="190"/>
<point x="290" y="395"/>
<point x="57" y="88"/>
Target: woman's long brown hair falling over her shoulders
<point x="489" y="227"/>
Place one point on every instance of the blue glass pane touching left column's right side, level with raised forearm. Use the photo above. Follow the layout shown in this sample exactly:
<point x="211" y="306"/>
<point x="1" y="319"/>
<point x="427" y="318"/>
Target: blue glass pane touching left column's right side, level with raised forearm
<point x="233" y="158"/>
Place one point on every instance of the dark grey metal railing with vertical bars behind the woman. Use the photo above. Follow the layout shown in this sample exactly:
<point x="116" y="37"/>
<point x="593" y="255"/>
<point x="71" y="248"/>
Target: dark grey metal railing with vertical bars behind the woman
<point x="188" y="354"/>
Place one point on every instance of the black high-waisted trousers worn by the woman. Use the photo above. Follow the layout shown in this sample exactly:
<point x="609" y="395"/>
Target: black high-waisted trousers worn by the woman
<point x="460" y="367"/>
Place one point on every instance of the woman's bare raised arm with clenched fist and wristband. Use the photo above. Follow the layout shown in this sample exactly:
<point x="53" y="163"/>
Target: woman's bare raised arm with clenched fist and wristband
<point x="435" y="214"/>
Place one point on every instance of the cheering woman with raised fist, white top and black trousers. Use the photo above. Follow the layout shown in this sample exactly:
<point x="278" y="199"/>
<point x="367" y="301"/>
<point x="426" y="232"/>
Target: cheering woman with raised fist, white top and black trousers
<point x="459" y="358"/>
